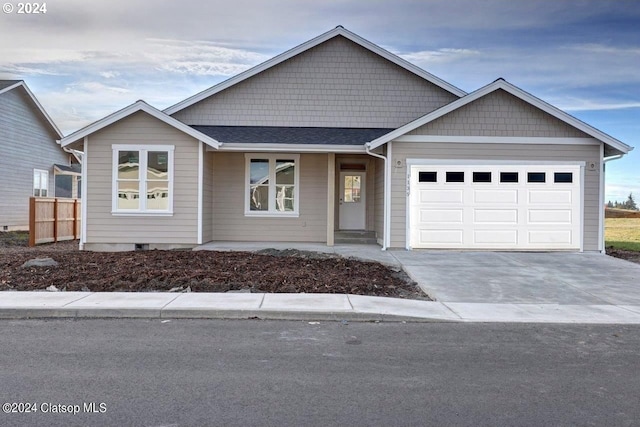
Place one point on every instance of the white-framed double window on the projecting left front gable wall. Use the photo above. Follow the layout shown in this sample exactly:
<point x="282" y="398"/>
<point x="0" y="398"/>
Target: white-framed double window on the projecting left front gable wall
<point x="143" y="179"/>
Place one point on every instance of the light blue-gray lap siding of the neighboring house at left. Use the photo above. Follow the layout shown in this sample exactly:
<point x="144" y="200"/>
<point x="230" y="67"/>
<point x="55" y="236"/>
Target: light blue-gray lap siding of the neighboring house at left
<point x="27" y="142"/>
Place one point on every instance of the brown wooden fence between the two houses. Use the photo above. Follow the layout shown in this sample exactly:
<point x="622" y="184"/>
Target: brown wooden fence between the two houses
<point x="53" y="220"/>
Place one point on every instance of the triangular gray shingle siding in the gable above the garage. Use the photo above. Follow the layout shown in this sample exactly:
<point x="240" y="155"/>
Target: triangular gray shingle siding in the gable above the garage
<point x="499" y="114"/>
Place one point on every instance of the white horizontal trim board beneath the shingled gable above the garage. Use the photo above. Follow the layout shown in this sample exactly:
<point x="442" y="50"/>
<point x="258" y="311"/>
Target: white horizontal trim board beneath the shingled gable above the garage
<point x="497" y="140"/>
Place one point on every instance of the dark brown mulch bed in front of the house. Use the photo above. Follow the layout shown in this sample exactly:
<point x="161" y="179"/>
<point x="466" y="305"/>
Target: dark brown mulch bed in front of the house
<point x="200" y="271"/>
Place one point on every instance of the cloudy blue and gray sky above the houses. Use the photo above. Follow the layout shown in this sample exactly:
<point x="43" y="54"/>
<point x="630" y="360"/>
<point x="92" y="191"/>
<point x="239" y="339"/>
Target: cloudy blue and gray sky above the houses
<point x="86" y="59"/>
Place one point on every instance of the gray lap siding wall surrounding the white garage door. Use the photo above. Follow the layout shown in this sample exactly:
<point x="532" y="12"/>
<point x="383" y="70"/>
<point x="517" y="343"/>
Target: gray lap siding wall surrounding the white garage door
<point x="526" y="152"/>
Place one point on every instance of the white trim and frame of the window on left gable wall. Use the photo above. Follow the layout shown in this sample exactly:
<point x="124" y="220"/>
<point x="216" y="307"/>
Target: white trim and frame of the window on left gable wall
<point x="142" y="211"/>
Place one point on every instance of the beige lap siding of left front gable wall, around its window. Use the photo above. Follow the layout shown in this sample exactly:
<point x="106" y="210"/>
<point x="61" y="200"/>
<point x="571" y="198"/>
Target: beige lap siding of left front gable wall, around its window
<point x="103" y="228"/>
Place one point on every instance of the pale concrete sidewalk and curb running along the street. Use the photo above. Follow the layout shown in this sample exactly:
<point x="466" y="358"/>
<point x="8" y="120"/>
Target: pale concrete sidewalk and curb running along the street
<point x="310" y="307"/>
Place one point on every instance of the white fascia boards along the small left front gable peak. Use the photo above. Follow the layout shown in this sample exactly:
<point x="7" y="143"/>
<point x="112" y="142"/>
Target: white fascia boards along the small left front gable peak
<point x="134" y="108"/>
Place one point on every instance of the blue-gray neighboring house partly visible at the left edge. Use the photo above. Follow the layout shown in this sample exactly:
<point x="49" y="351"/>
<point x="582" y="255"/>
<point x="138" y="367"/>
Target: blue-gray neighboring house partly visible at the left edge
<point x="32" y="162"/>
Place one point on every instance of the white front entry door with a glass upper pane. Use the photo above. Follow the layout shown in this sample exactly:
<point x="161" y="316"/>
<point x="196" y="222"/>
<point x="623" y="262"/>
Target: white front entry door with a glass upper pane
<point x="352" y="200"/>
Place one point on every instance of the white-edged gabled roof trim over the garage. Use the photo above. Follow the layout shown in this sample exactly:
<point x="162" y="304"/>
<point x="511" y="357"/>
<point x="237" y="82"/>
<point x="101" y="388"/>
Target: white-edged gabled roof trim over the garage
<point x="515" y="91"/>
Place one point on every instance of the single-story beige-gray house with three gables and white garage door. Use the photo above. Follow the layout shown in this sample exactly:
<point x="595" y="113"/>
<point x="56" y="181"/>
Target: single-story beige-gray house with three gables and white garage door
<point x="339" y="134"/>
